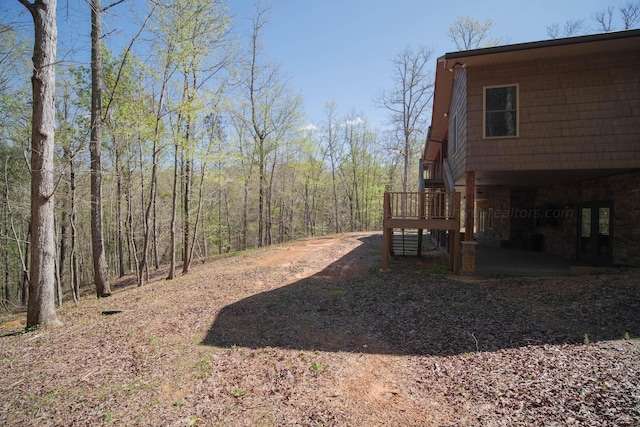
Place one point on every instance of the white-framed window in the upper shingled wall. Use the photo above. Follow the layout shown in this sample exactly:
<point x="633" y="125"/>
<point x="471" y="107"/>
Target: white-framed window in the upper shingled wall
<point x="500" y="111"/>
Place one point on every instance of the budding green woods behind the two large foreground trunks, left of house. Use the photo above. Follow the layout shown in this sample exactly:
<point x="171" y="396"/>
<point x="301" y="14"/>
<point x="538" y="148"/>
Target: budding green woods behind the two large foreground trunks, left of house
<point x="202" y="150"/>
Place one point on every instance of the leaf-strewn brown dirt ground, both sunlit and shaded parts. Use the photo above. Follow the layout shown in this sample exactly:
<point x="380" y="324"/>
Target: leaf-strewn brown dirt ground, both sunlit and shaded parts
<point x="312" y="333"/>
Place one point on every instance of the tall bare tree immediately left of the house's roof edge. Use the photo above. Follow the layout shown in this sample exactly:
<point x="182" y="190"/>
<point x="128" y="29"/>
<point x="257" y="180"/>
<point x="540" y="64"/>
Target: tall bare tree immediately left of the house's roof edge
<point x="408" y="100"/>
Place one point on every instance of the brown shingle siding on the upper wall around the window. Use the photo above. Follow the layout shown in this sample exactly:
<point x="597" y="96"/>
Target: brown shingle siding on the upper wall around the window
<point x="579" y="113"/>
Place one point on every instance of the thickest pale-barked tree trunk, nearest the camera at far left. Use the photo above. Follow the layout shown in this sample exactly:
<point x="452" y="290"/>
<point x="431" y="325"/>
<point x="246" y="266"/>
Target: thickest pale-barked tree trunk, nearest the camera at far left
<point x="41" y="304"/>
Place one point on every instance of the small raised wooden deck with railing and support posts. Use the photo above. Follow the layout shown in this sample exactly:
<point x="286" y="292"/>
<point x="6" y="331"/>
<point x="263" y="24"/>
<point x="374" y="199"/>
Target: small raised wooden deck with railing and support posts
<point x="425" y="210"/>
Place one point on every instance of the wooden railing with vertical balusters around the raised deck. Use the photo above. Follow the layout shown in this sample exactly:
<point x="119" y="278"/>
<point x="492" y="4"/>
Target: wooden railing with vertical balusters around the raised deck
<point x="420" y="205"/>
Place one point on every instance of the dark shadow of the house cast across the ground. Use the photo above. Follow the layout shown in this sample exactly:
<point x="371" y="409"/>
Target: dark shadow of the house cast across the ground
<point x="418" y="309"/>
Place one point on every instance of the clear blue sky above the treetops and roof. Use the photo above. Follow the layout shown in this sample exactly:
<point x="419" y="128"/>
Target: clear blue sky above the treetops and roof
<point x="341" y="50"/>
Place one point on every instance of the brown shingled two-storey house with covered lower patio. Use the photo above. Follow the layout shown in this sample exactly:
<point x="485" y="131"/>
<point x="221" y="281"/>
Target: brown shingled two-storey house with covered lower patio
<point x="542" y="140"/>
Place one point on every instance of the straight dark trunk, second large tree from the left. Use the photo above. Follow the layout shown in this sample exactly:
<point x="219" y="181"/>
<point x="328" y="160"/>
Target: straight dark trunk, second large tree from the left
<point x="101" y="280"/>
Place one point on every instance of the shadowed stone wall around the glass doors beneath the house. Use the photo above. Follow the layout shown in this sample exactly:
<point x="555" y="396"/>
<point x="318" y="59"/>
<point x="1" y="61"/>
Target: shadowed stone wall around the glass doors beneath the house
<point x="622" y="189"/>
